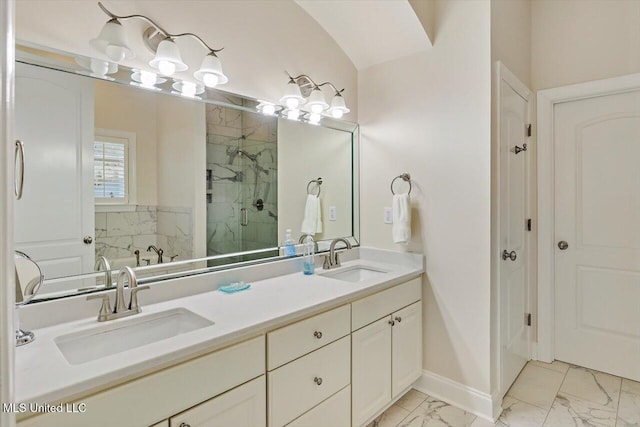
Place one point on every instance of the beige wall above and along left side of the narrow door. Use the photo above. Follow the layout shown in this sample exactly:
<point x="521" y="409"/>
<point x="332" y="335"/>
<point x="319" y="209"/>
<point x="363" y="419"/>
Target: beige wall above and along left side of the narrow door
<point x="510" y="44"/>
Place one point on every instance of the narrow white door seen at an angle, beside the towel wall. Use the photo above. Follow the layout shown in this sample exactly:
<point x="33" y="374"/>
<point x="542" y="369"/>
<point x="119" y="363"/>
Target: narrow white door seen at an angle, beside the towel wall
<point x="514" y="269"/>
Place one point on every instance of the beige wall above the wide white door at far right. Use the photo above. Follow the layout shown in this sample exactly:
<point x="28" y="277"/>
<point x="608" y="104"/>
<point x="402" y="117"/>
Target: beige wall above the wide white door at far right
<point x="576" y="41"/>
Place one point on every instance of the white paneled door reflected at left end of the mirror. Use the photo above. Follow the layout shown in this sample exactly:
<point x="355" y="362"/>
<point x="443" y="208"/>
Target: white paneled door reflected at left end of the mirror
<point x="54" y="120"/>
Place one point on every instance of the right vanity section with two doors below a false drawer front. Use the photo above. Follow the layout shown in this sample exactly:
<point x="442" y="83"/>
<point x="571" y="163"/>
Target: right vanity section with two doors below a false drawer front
<point x="387" y="352"/>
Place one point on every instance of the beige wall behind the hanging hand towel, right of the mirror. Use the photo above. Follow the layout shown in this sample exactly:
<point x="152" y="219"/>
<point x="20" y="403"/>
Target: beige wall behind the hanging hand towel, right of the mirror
<point x="429" y="115"/>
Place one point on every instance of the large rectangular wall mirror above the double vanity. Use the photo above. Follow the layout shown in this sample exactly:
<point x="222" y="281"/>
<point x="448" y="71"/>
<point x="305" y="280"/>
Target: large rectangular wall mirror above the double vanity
<point x="116" y="174"/>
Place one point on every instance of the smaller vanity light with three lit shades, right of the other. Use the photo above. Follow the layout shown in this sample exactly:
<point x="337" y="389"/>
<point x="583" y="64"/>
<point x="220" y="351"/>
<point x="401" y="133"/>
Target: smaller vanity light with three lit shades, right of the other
<point x="302" y="90"/>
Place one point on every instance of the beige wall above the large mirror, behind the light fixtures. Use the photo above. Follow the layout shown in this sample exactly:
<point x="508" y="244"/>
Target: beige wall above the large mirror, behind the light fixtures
<point x="261" y="39"/>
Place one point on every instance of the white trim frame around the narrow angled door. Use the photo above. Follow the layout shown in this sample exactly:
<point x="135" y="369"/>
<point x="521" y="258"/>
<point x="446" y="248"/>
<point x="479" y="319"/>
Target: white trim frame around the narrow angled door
<point x="503" y="74"/>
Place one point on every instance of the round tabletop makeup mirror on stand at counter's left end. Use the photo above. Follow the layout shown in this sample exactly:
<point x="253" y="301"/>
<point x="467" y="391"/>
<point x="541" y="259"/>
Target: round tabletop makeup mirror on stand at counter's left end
<point x="29" y="279"/>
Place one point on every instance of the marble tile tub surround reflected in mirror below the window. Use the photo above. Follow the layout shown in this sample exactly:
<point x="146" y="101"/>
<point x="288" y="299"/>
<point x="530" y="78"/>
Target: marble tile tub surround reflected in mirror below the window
<point x="119" y="234"/>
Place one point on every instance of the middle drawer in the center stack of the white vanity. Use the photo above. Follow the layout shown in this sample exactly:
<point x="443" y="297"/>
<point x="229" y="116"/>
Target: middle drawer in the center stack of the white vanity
<point x="293" y="389"/>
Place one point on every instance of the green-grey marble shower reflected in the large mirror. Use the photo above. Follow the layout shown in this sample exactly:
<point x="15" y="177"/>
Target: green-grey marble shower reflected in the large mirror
<point x="241" y="169"/>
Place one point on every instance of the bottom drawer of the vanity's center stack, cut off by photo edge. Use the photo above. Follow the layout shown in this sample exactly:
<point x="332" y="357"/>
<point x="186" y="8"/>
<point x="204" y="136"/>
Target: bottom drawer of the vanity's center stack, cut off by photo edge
<point x="334" y="412"/>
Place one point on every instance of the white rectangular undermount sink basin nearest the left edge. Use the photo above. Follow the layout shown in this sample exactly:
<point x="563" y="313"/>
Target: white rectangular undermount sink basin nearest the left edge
<point x="109" y="339"/>
